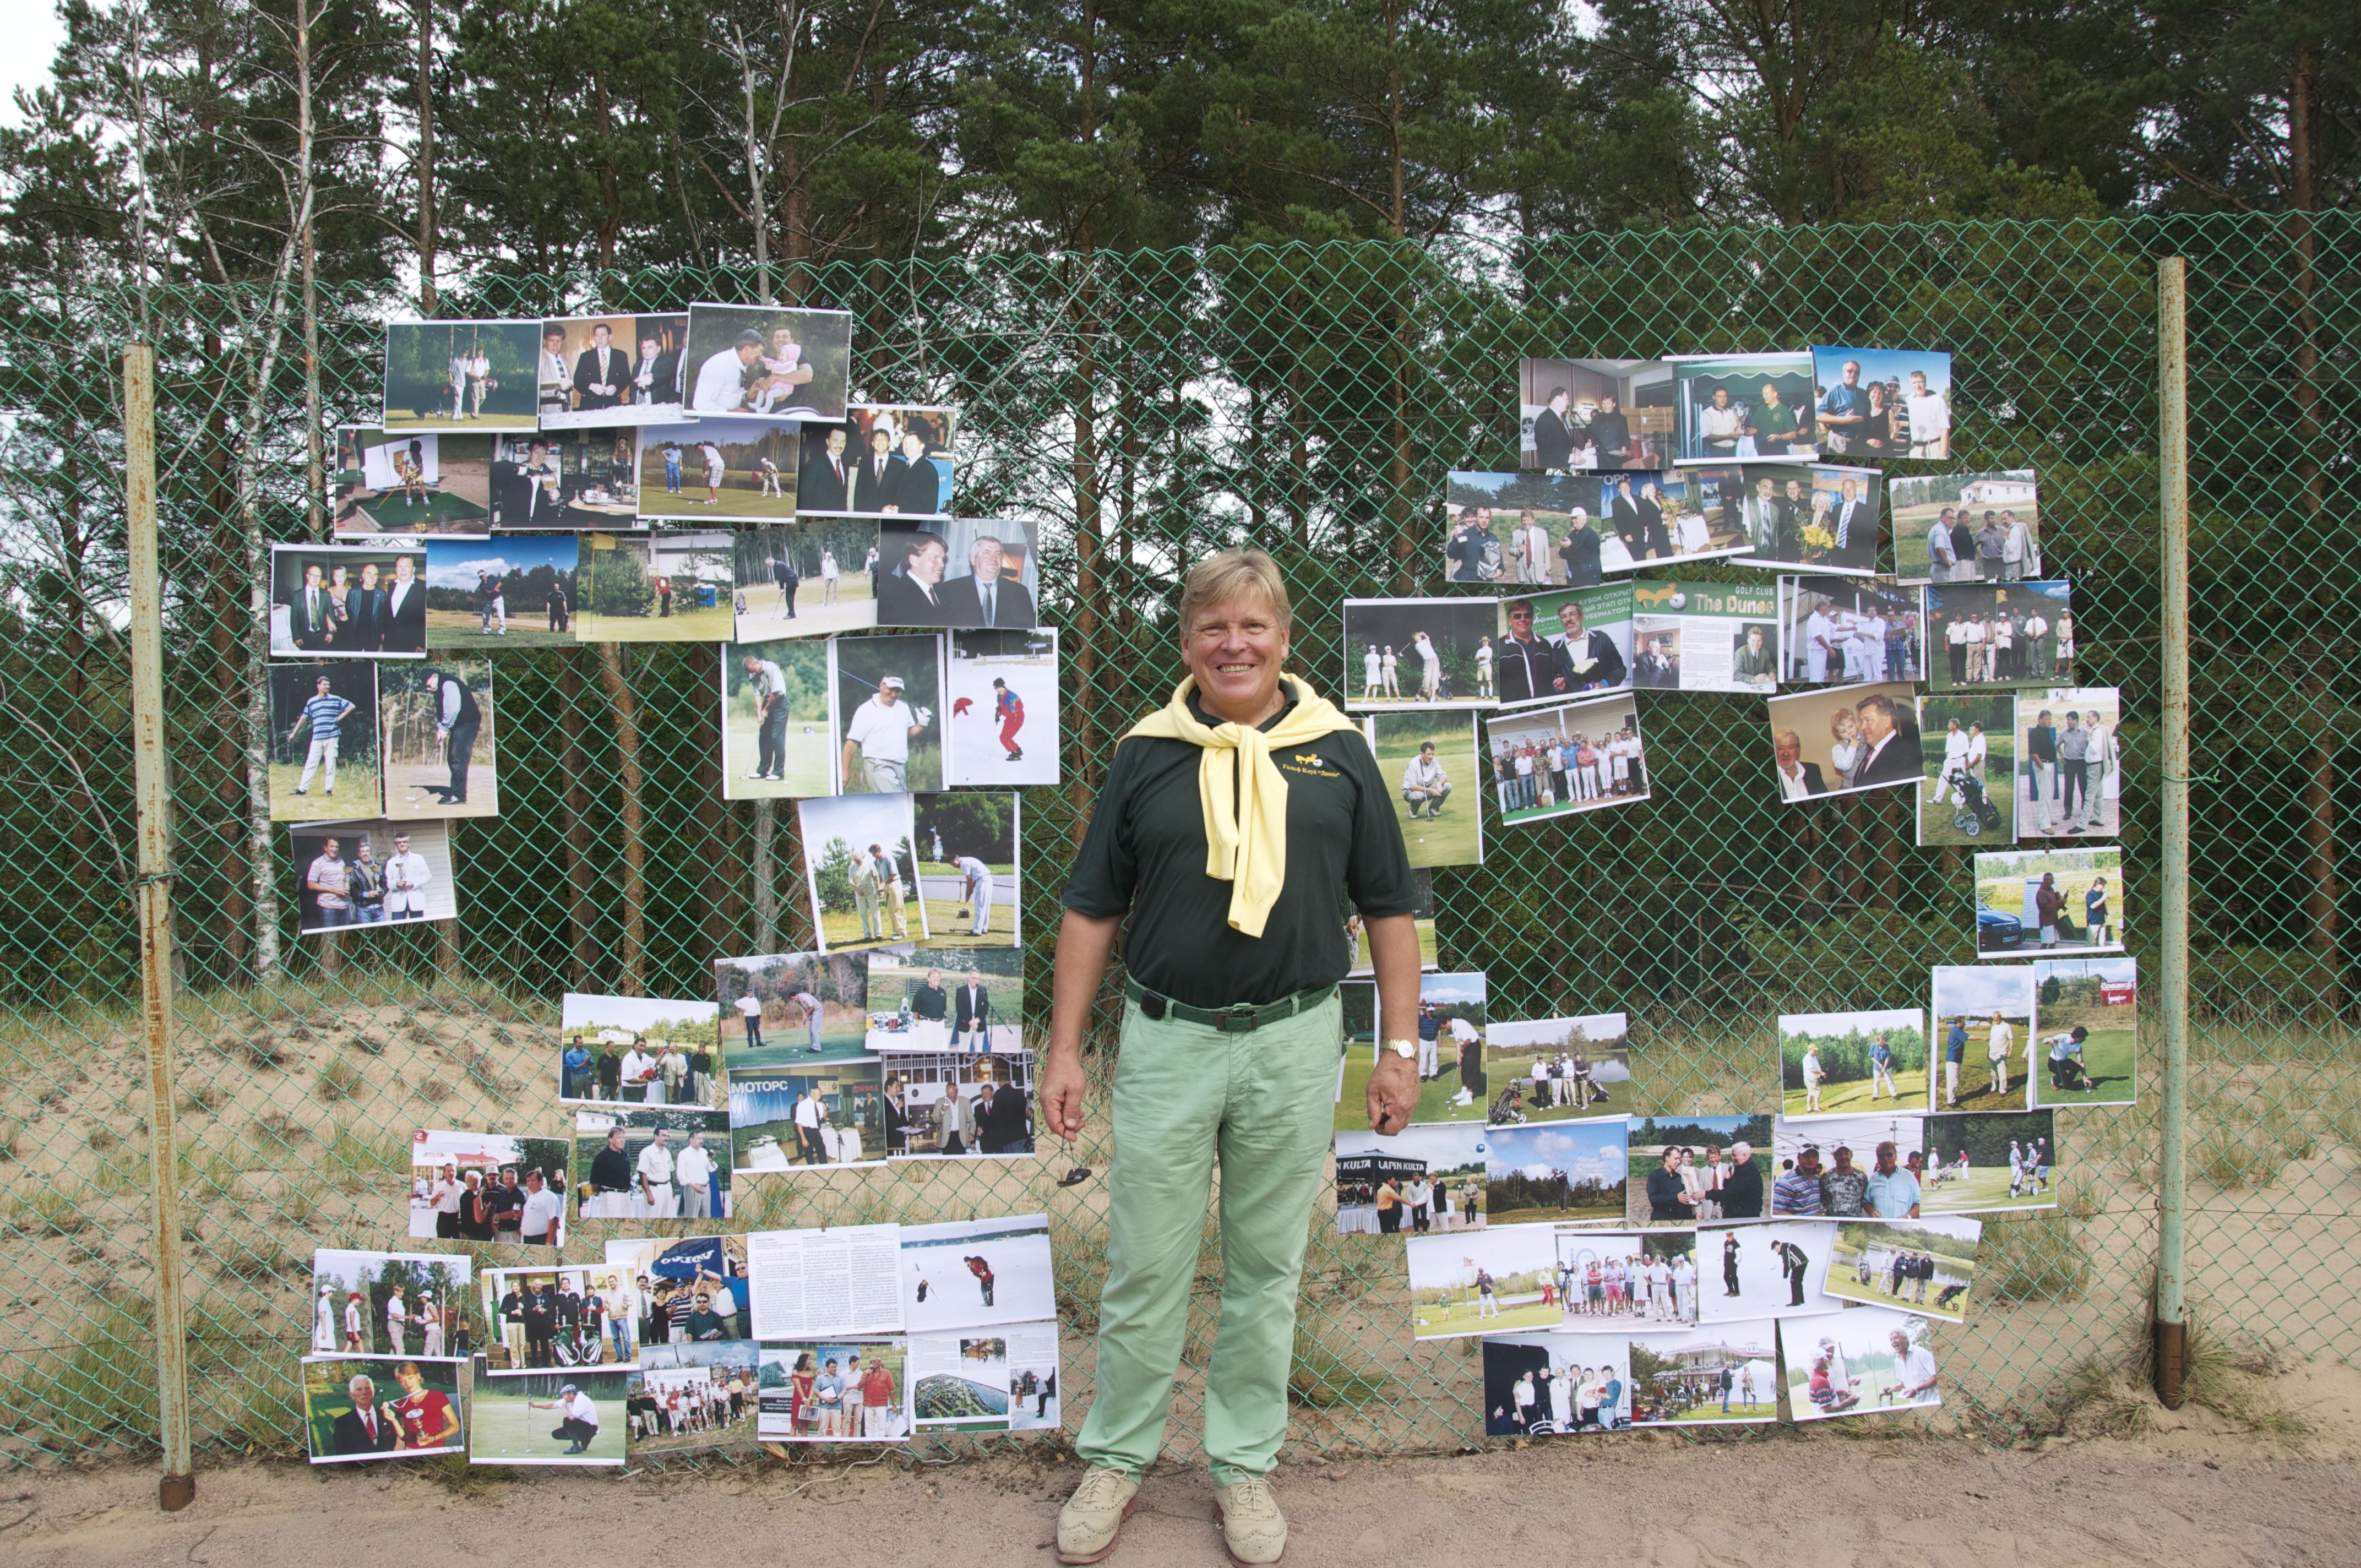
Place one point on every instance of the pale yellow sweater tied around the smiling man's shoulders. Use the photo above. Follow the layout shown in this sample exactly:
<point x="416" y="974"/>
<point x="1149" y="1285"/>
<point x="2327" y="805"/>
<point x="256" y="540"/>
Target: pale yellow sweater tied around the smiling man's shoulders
<point x="1245" y="797"/>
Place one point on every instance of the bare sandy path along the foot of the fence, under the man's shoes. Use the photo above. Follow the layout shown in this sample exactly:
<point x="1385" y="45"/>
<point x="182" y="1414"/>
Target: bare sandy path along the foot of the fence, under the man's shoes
<point x="1647" y="1501"/>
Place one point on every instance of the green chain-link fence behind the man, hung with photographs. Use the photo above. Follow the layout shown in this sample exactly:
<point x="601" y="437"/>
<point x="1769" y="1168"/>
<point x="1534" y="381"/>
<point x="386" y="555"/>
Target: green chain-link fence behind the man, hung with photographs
<point x="1151" y="407"/>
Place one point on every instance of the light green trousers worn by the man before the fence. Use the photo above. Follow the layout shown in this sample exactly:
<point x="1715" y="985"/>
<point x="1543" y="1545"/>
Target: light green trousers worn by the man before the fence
<point x="1267" y="1106"/>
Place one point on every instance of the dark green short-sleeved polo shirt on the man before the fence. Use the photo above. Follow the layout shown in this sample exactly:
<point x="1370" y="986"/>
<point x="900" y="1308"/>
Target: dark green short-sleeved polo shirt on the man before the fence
<point x="1146" y="858"/>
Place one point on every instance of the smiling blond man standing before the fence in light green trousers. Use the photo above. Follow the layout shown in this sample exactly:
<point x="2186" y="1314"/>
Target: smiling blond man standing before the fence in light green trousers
<point x="1224" y="830"/>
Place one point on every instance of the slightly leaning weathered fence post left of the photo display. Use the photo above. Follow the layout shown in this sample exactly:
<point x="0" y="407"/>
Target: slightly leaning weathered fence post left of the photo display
<point x="155" y="889"/>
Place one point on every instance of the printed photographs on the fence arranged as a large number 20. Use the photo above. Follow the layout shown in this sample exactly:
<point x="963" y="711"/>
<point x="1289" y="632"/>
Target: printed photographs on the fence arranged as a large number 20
<point x="882" y="662"/>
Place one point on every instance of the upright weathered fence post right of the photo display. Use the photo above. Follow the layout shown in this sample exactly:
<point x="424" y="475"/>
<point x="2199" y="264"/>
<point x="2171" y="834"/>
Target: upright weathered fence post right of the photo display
<point x="2173" y="549"/>
